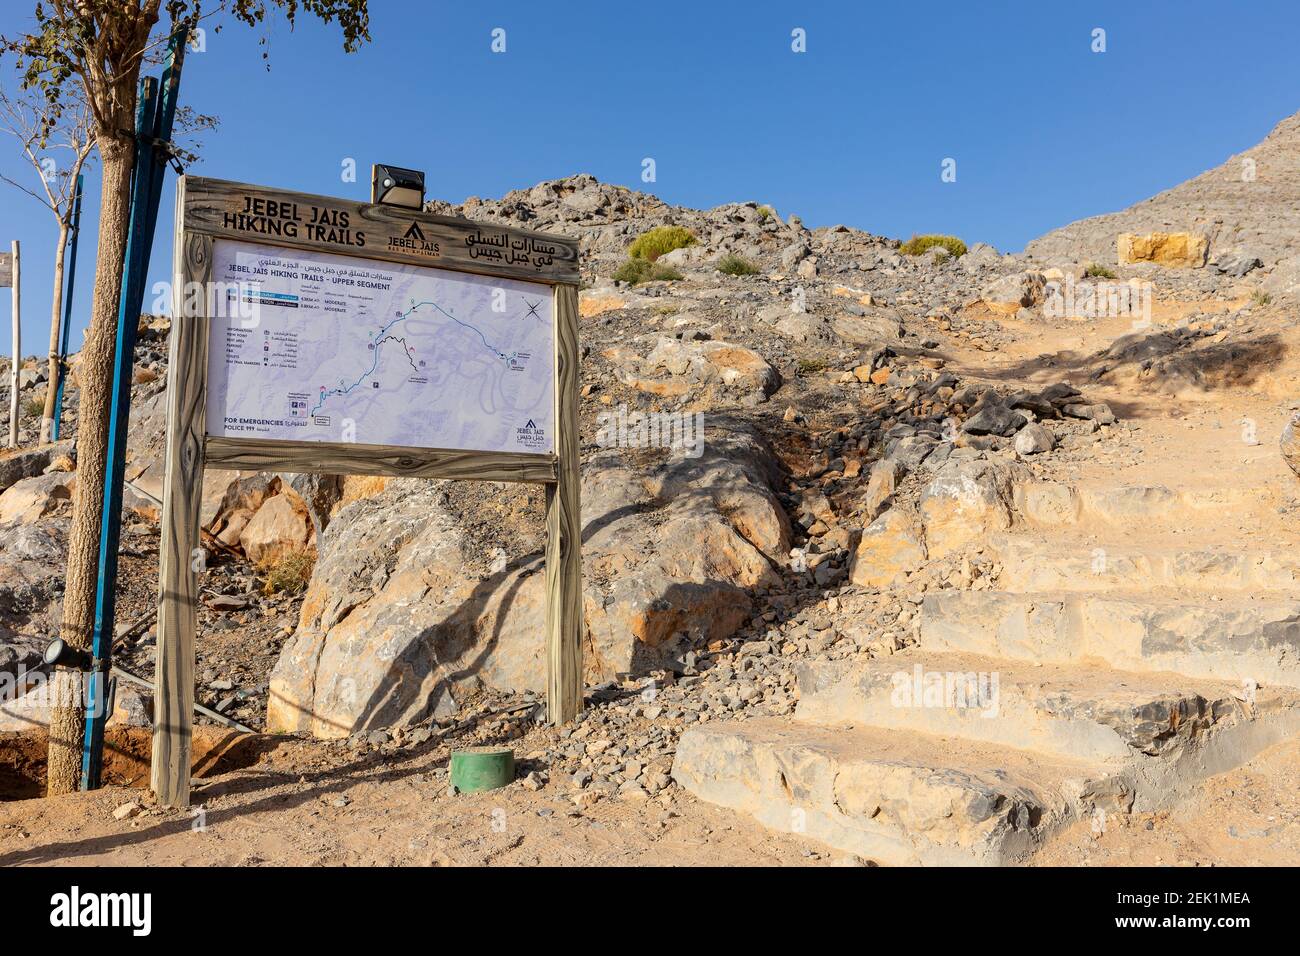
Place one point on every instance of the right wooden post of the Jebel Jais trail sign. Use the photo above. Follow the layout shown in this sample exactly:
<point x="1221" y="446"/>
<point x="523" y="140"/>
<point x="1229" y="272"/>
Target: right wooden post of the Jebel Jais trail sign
<point x="565" y="529"/>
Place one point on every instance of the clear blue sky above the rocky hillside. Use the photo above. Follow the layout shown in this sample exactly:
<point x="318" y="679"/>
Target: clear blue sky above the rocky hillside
<point x="855" y="131"/>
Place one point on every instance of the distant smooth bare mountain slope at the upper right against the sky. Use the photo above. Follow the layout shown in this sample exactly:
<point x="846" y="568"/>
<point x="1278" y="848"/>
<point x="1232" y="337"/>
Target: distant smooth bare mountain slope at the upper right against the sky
<point x="1249" y="206"/>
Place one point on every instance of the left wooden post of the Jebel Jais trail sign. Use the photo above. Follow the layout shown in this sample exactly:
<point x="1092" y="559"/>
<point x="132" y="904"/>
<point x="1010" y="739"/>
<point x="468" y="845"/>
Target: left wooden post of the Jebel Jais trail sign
<point x="181" y="559"/>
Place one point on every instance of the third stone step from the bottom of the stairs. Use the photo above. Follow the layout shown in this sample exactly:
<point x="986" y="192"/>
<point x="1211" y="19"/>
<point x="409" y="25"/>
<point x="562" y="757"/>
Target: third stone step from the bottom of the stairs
<point x="1237" y="639"/>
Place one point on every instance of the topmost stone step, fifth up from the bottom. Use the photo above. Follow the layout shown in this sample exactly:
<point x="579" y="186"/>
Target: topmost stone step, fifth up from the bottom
<point x="1052" y="504"/>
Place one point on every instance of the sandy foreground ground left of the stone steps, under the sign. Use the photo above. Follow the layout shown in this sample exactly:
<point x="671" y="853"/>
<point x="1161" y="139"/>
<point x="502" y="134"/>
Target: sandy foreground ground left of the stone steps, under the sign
<point x="313" y="804"/>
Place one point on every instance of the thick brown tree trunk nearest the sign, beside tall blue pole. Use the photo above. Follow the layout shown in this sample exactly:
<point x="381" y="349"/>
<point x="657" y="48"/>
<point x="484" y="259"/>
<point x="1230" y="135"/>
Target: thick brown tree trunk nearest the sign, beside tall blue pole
<point x="94" y="375"/>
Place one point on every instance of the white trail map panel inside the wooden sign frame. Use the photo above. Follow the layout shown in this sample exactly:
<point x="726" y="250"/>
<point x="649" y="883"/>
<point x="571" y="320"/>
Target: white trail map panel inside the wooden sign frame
<point x="314" y="347"/>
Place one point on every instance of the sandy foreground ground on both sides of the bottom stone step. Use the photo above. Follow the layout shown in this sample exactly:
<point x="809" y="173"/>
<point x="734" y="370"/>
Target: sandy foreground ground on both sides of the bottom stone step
<point x="311" y="804"/>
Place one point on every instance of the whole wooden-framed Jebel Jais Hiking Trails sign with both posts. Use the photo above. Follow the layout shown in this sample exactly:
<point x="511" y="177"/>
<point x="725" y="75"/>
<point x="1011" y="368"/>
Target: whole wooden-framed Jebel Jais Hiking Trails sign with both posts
<point x="326" y="336"/>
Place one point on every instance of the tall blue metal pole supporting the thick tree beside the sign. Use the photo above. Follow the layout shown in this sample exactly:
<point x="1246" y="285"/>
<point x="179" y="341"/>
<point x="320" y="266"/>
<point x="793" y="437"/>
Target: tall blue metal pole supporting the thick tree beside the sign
<point x="157" y="120"/>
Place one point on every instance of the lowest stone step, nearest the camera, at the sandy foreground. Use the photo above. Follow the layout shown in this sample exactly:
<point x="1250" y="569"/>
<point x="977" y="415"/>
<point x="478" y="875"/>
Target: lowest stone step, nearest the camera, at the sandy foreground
<point x="896" y="799"/>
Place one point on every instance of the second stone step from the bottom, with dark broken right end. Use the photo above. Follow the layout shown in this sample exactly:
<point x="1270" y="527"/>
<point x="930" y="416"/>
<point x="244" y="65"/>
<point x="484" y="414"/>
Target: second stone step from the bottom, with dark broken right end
<point x="1158" y="733"/>
